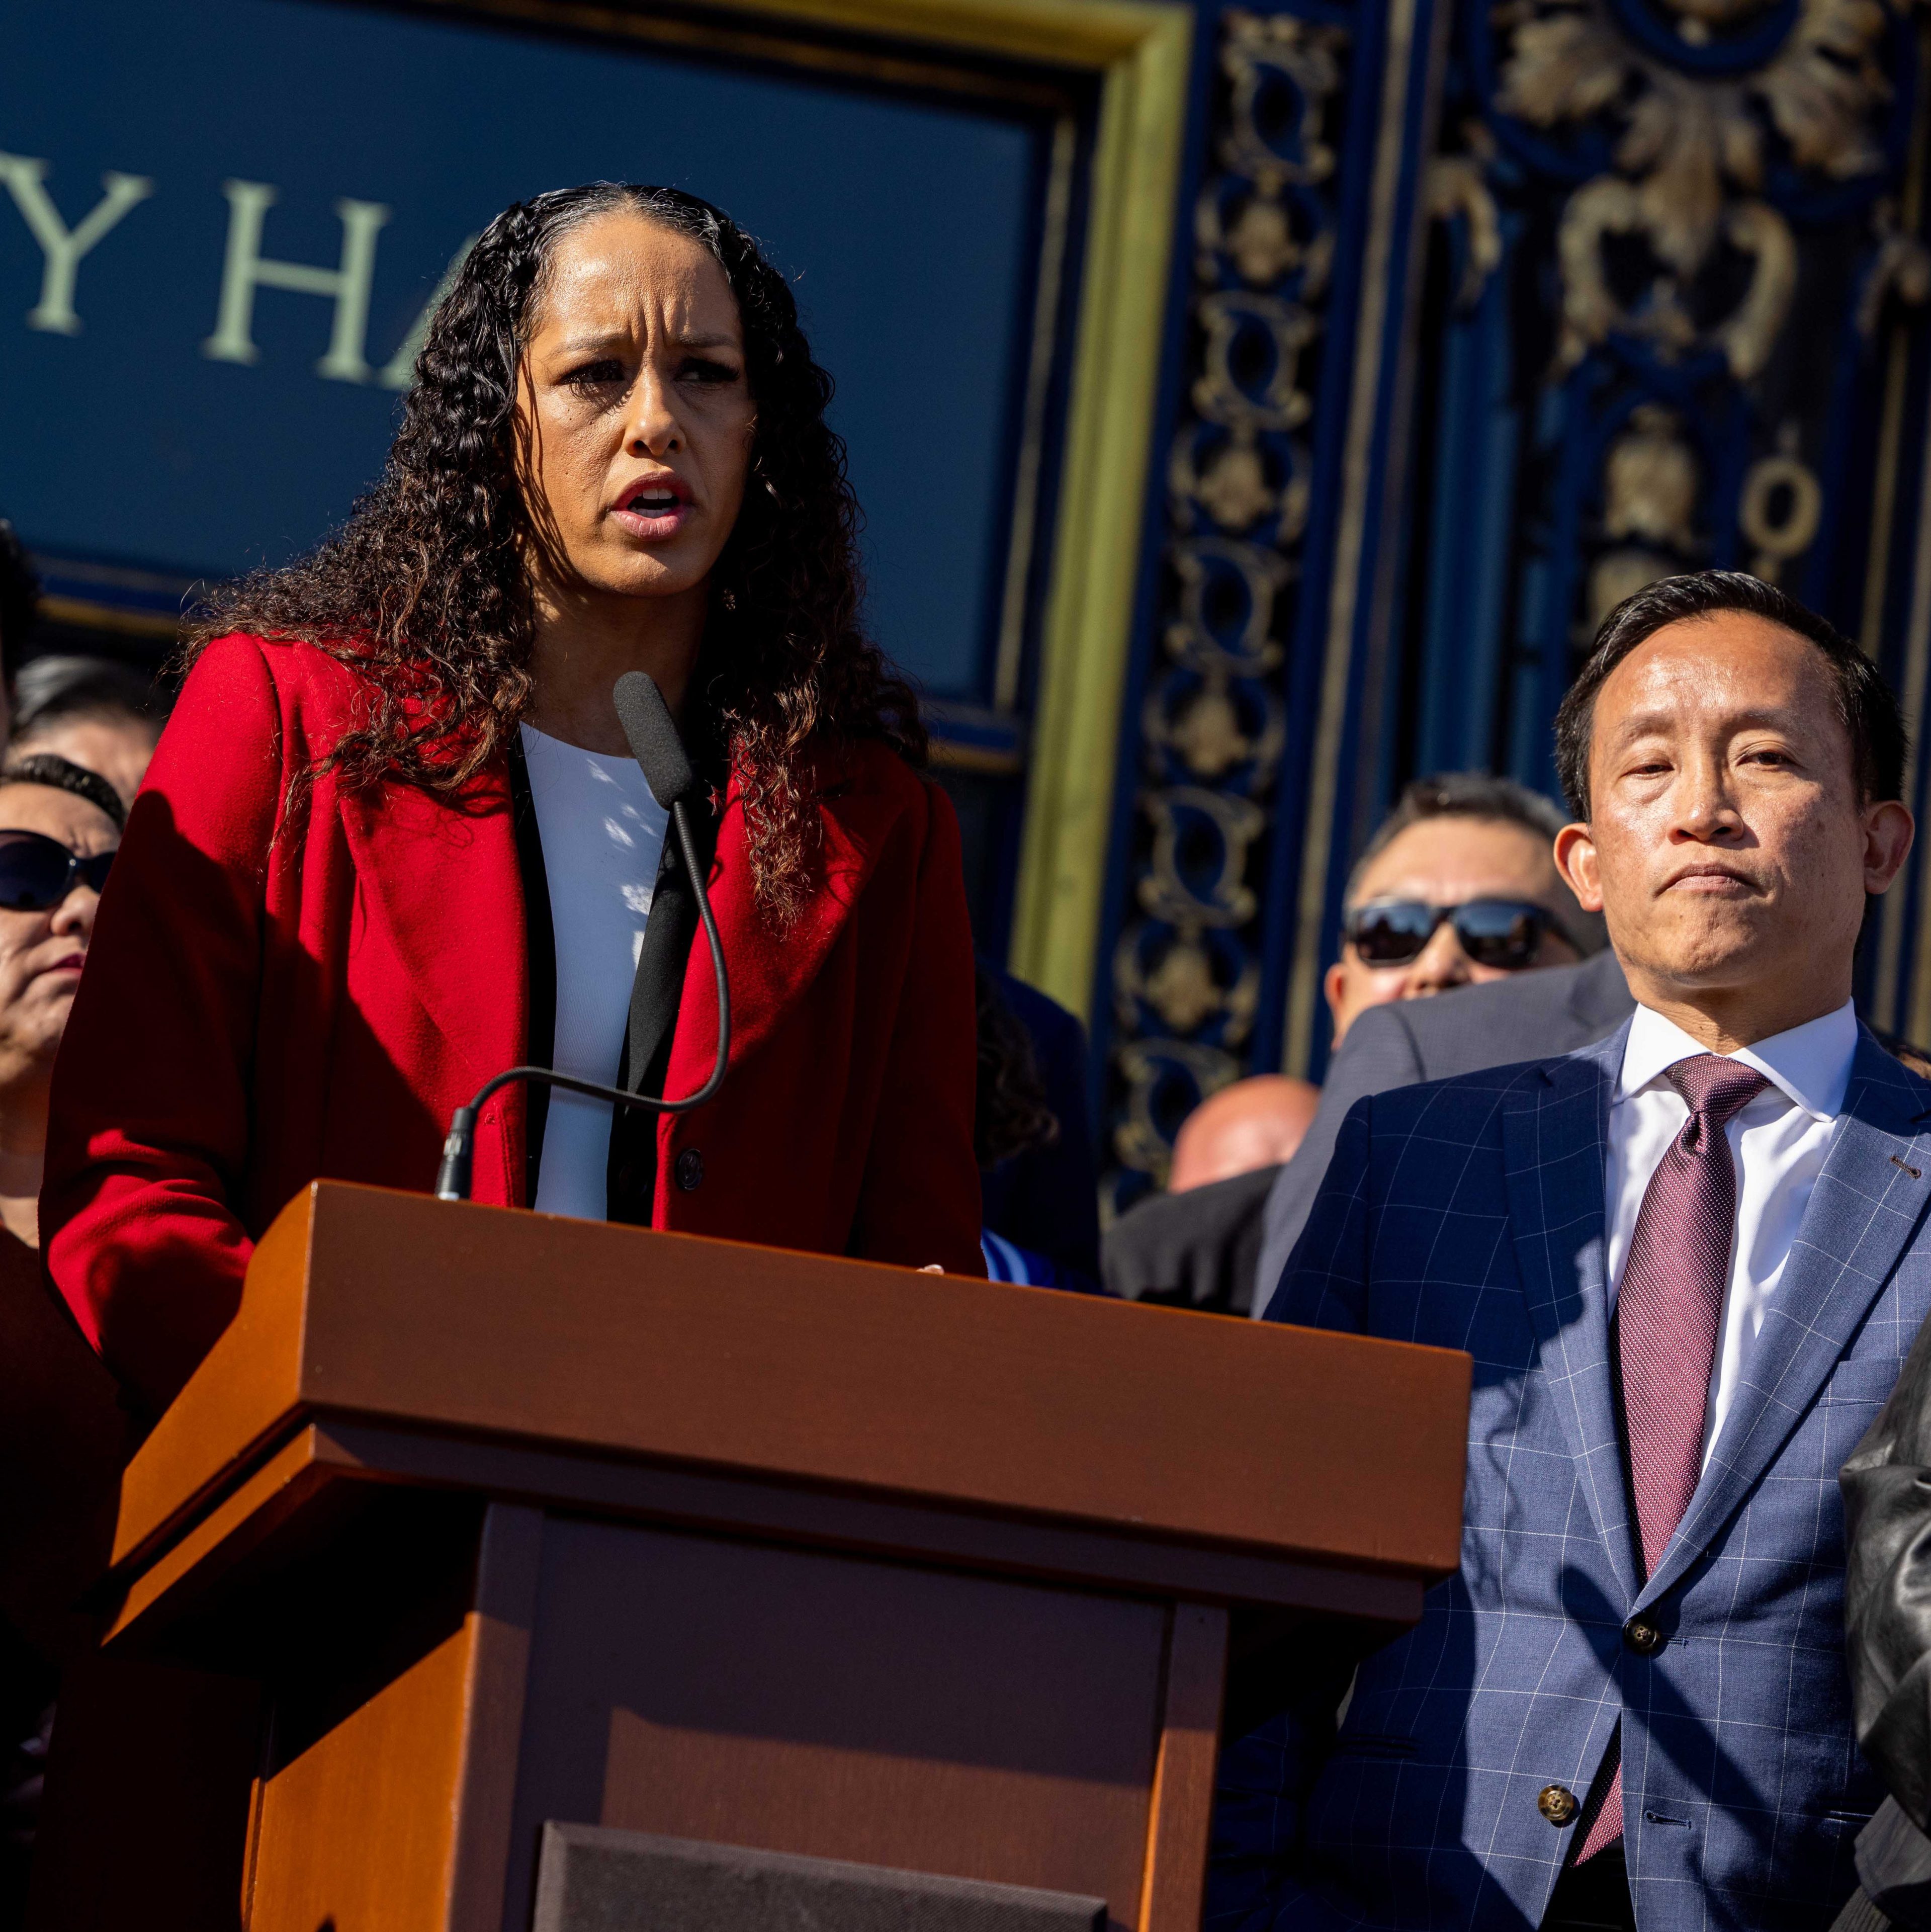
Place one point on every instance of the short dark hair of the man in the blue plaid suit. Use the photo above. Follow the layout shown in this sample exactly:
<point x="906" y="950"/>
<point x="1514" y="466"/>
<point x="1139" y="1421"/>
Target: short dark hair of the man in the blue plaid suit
<point x="1864" y="702"/>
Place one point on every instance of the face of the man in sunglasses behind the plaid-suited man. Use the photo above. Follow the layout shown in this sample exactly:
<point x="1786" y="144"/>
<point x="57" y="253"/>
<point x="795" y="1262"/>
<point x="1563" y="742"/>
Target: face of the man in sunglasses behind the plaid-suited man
<point x="1449" y="863"/>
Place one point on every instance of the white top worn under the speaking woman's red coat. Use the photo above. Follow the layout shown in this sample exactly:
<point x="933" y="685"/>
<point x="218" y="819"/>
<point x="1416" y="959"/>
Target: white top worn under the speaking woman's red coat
<point x="603" y="839"/>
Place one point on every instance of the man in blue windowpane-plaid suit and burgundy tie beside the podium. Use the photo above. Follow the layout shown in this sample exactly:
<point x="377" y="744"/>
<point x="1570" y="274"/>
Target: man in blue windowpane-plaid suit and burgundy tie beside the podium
<point x="1689" y="1264"/>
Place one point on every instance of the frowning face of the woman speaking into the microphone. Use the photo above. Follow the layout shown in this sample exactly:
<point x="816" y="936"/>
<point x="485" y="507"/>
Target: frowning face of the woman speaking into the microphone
<point x="636" y="411"/>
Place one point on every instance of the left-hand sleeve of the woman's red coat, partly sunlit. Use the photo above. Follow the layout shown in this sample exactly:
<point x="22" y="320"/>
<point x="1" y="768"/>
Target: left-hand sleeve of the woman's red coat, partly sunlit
<point x="150" y="1122"/>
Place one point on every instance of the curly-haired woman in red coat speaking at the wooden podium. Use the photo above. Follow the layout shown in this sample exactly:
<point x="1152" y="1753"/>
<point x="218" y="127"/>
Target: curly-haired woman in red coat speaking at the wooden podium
<point x="395" y="843"/>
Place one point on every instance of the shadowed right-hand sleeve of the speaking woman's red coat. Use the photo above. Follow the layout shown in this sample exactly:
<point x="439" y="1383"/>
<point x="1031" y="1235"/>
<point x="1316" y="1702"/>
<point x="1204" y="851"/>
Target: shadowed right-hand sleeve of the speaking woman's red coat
<point x="920" y="1197"/>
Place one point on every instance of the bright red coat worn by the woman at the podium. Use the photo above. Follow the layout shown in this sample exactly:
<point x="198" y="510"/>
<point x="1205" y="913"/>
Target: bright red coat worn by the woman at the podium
<point x="275" y="1000"/>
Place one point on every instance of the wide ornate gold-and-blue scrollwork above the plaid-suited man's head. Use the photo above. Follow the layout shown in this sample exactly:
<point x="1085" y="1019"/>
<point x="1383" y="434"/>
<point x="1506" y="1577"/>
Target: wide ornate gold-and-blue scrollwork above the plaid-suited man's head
<point x="1694" y="204"/>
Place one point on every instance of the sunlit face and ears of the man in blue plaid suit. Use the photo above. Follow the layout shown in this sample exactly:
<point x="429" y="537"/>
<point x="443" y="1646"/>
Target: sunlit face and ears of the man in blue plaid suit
<point x="1727" y="841"/>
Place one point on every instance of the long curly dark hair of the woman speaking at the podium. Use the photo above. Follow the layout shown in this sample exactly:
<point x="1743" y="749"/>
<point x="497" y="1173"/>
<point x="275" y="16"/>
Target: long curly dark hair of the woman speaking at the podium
<point x="426" y="590"/>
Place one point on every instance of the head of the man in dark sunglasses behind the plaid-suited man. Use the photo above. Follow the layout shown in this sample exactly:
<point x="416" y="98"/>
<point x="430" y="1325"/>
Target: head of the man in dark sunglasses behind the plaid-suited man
<point x="1459" y="886"/>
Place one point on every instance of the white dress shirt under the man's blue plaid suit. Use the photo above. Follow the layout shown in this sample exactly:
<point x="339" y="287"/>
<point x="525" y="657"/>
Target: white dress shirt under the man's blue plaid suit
<point x="1777" y="1143"/>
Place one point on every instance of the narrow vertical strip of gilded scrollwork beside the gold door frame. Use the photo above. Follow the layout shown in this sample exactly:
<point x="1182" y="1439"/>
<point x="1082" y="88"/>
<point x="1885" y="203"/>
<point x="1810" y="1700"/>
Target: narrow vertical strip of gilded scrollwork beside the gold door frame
<point x="1214" y="722"/>
